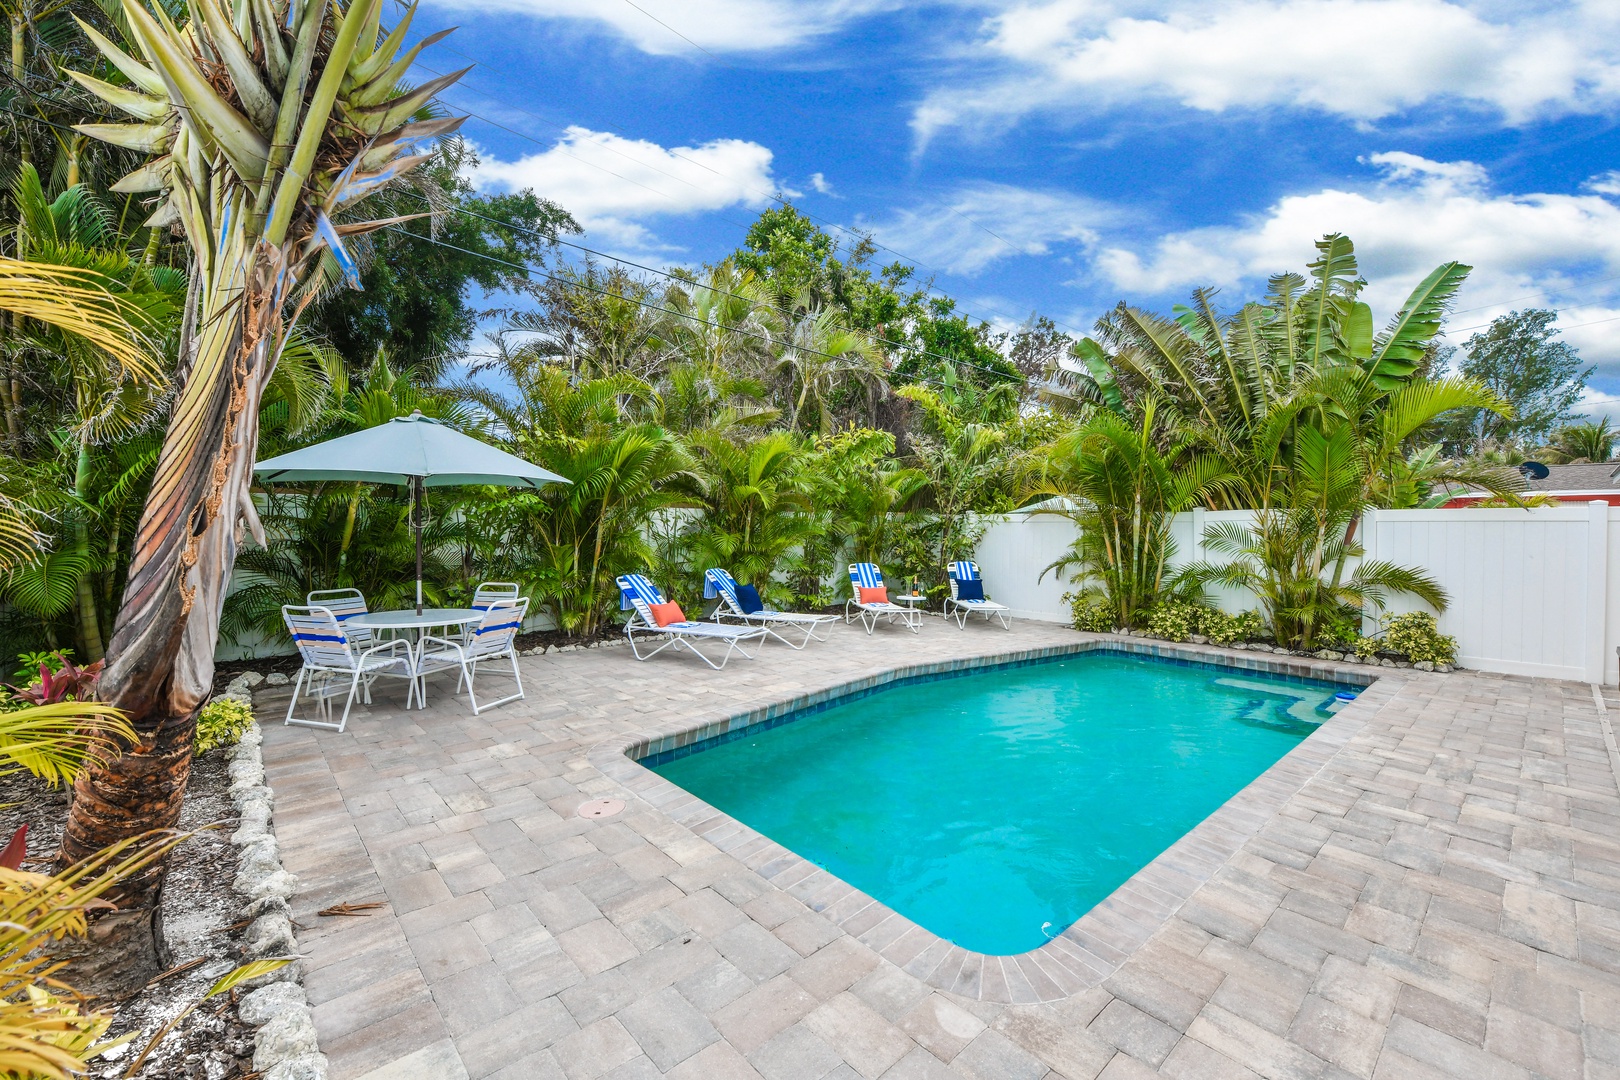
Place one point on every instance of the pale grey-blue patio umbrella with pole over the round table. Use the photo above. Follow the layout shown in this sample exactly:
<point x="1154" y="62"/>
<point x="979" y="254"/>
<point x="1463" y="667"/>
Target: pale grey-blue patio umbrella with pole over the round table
<point x="412" y="451"/>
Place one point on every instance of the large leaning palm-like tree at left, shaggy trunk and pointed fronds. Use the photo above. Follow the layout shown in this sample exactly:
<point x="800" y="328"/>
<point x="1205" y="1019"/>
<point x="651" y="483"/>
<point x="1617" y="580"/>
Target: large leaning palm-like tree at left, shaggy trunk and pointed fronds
<point x="266" y="122"/>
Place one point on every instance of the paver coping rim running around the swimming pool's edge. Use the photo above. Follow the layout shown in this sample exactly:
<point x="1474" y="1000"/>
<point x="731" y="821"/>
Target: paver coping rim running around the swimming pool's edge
<point x="1098" y="943"/>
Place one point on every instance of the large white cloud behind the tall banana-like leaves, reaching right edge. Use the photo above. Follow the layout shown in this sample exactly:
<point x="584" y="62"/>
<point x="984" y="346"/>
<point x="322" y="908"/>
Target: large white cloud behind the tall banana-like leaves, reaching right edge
<point x="1527" y="250"/>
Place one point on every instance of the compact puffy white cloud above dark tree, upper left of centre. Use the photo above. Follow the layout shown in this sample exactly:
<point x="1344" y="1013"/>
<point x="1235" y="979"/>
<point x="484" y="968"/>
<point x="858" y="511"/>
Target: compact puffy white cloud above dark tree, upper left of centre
<point x="615" y="185"/>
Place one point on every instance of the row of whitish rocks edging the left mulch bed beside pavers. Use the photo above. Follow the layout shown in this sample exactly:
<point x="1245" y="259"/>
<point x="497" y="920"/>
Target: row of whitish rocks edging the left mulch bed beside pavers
<point x="286" y="1045"/>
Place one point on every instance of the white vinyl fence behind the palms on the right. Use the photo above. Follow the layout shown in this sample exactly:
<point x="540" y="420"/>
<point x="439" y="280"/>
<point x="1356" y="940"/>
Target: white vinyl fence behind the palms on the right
<point x="1532" y="592"/>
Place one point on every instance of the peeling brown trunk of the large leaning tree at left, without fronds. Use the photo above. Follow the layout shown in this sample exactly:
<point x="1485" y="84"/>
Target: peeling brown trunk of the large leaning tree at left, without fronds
<point x="161" y="658"/>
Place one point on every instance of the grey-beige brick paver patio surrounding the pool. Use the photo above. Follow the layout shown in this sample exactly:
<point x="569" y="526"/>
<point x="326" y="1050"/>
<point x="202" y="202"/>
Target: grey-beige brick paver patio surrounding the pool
<point x="1439" y="899"/>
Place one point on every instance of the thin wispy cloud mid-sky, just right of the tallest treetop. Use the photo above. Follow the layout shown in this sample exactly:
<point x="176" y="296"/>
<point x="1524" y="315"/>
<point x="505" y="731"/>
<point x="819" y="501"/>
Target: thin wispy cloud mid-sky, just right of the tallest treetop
<point x="986" y="223"/>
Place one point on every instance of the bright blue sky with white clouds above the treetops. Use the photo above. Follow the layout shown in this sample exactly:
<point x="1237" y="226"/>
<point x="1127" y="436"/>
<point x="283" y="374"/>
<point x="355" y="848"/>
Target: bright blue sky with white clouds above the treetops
<point x="1060" y="156"/>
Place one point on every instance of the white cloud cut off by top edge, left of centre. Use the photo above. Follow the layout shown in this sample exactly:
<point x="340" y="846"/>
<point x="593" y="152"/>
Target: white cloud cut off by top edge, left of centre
<point x="684" y="27"/>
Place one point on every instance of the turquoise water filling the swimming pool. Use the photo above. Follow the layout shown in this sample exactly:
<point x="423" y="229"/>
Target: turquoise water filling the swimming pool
<point x="995" y="809"/>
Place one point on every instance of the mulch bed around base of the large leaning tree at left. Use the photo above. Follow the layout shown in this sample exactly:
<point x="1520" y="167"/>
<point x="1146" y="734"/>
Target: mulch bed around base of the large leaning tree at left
<point x="200" y="909"/>
